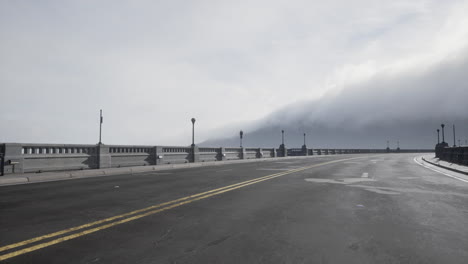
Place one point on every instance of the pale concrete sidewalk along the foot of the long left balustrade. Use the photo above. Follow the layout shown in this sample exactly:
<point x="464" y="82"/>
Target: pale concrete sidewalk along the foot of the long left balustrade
<point x="26" y="178"/>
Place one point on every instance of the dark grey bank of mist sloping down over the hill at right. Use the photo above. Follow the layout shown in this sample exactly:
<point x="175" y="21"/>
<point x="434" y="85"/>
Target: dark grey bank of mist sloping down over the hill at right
<point x="406" y="106"/>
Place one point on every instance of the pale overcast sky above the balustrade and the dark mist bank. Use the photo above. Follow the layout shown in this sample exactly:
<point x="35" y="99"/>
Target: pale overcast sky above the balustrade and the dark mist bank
<point x="153" y="65"/>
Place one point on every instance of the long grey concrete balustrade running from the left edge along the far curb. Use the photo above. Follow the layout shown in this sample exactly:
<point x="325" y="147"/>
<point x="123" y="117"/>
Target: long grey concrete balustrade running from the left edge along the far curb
<point x="25" y="158"/>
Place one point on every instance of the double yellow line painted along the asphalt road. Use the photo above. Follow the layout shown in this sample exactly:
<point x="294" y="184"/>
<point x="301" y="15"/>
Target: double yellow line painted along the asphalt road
<point x="137" y="214"/>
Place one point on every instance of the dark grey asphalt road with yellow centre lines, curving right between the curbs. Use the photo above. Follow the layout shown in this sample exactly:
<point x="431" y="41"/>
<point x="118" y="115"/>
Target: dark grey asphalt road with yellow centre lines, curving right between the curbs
<point x="328" y="209"/>
